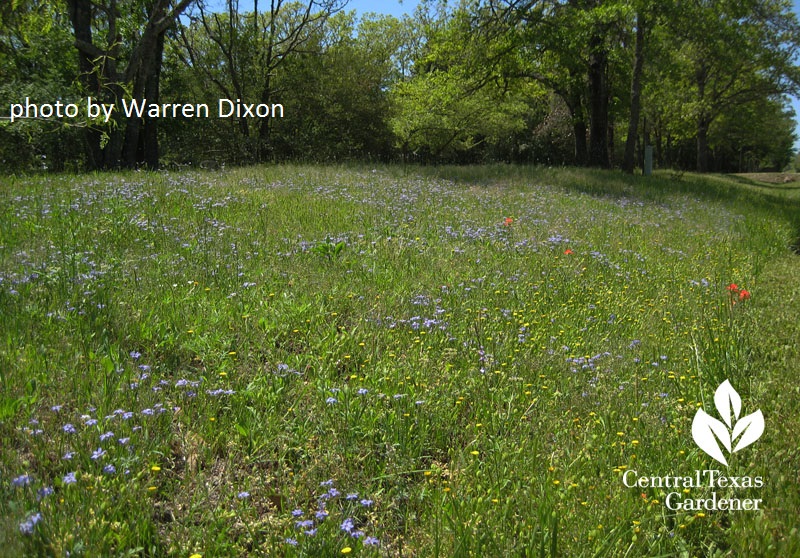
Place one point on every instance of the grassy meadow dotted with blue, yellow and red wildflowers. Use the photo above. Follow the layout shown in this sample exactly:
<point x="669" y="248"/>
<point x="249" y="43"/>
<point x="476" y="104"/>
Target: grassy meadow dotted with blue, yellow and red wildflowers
<point x="319" y="361"/>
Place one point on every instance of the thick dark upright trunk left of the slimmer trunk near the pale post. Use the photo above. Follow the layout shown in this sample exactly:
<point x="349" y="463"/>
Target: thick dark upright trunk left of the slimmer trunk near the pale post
<point x="598" y="102"/>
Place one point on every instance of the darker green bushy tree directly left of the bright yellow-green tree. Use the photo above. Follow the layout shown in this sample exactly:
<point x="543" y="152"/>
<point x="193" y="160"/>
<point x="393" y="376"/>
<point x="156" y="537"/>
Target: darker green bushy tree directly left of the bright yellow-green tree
<point x="340" y="103"/>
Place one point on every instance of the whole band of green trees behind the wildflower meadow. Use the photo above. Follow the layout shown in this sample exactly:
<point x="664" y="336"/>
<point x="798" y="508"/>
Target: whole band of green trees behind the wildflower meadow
<point x="584" y="82"/>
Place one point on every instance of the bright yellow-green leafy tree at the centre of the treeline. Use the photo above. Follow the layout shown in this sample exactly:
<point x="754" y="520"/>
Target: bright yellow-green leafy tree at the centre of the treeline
<point x="457" y="99"/>
